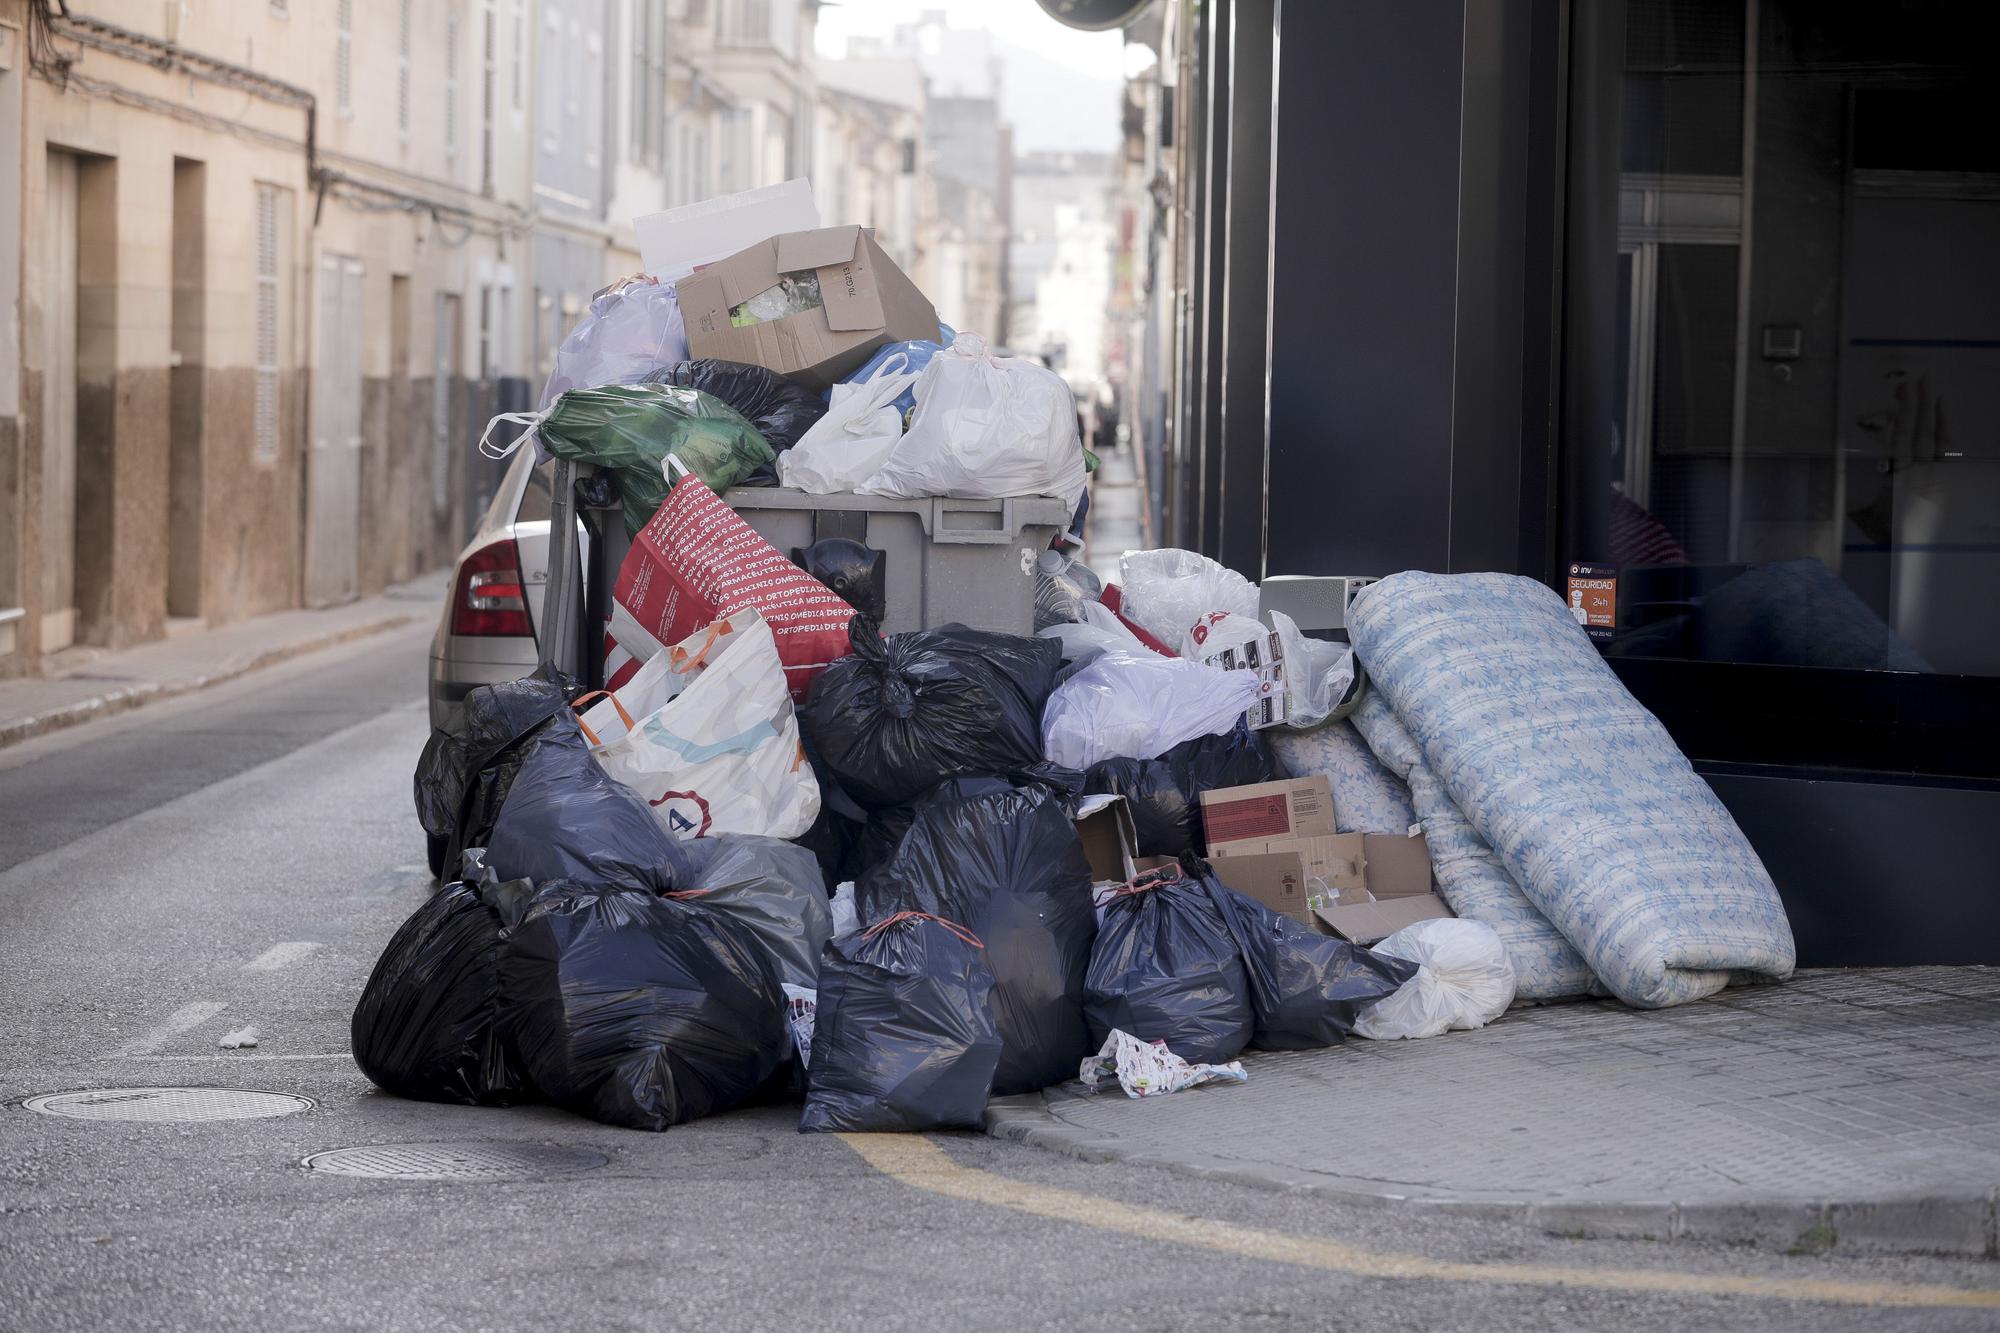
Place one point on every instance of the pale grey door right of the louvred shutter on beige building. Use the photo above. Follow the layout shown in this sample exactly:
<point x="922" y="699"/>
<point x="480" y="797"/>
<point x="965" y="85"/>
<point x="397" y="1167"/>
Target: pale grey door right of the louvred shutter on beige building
<point x="335" y="477"/>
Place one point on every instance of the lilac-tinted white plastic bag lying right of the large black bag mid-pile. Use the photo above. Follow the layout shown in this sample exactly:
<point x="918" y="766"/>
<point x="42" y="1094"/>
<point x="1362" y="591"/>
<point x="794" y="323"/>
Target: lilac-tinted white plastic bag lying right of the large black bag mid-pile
<point x="1141" y="706"/>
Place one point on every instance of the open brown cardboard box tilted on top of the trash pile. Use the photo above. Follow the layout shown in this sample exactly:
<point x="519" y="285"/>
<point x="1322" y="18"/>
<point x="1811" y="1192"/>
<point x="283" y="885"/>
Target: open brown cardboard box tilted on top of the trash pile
<point x="865" y="301"/>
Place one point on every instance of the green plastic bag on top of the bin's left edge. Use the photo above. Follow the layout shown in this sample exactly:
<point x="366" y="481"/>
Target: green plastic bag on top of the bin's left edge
<point x="631" y="429"/>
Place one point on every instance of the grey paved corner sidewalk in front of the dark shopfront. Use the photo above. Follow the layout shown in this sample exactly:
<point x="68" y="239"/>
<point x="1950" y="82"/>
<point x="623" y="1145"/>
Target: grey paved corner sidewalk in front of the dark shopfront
<point x="1845" y="1108"/>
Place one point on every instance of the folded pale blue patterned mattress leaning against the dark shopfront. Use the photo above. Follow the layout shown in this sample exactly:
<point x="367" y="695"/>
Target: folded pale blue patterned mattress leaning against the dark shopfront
<point x="1557" y="808"/>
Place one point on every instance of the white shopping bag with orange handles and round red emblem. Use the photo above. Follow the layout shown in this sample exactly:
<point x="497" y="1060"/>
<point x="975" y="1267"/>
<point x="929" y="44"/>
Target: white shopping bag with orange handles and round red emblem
<point x="721" y="754"/>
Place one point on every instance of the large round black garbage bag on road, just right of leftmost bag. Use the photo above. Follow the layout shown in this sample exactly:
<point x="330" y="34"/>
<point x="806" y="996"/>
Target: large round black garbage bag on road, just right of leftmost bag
<point x="637" y="1010"/>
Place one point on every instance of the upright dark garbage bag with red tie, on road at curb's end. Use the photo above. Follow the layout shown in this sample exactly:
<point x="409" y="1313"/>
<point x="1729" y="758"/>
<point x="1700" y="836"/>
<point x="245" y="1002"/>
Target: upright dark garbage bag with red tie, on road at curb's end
<point x="905" y="1034"/>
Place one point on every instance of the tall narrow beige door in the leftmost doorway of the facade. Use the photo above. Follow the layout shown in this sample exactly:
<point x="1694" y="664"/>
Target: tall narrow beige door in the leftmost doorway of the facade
<point x="59" y="405"/>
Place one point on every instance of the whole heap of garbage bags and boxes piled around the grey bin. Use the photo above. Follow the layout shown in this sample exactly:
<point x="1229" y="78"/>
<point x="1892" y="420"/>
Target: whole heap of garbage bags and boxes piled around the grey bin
<point x="781" y="856"/>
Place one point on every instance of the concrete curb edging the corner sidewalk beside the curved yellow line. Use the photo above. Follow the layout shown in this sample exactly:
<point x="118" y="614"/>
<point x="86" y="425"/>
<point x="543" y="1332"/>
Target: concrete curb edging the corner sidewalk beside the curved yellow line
<point x="1961" y="1226"/>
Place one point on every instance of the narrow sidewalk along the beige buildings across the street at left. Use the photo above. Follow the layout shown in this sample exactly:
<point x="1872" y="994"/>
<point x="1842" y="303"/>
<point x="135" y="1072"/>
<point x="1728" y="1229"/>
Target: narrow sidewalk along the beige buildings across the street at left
<point x="91" y="686"/>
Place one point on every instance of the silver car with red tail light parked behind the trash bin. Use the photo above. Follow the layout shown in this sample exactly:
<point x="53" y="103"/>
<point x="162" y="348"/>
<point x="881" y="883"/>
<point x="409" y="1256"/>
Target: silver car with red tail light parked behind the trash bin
<point x="491" y="625"/>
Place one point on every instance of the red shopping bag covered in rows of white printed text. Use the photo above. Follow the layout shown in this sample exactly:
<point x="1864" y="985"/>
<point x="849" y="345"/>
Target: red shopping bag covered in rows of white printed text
<point x="699" y="561"/>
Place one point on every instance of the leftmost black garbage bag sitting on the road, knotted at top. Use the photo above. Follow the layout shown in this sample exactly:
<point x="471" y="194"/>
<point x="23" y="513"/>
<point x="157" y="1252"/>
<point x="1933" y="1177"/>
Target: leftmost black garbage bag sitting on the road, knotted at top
<point x="429" y="1020"/>
